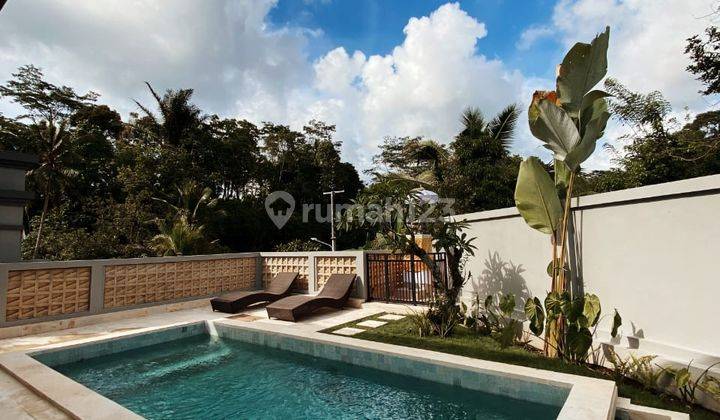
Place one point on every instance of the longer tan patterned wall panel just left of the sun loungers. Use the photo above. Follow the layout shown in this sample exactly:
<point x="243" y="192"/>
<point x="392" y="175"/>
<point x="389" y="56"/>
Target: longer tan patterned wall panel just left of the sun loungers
<point x="135" y="284"/>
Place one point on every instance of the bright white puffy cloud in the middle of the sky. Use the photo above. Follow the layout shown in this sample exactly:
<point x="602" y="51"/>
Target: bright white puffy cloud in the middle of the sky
<point x="420" y="88"/>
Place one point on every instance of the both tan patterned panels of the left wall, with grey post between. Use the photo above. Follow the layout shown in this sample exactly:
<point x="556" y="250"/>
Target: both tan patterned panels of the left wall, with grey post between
<point x="50" y="290"/>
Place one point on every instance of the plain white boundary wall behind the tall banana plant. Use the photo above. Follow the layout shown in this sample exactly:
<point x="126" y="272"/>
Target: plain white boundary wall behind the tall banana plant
<point x="651" y="252"/>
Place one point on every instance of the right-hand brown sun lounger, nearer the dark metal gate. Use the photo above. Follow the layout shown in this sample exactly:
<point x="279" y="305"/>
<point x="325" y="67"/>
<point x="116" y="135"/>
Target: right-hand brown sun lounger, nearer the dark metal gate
<point x="334" y="294"/>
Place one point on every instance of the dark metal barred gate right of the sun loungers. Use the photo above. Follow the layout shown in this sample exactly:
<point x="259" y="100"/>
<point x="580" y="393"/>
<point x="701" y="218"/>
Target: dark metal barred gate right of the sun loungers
<point x="402" y="277"/>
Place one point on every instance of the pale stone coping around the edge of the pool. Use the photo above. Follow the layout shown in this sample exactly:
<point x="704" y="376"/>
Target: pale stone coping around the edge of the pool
<point x="588" y="398"/>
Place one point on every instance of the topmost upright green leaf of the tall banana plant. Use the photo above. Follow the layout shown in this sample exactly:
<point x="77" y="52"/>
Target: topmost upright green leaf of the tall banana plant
<point x="581" y="69"/>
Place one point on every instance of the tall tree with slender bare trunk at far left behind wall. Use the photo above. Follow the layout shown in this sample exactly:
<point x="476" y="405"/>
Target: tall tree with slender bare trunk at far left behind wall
<point x="48" y="112"/>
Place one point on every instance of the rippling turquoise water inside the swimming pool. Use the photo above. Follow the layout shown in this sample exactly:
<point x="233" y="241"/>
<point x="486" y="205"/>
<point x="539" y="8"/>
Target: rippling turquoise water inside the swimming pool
<point x="209" y="377"/>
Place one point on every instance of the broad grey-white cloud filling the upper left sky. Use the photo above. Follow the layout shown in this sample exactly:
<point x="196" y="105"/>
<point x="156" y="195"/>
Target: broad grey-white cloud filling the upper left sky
<point x="223" y="49"/>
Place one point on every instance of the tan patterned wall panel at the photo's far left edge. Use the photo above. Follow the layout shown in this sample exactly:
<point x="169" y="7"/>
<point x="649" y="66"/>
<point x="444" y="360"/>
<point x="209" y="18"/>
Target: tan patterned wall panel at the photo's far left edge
<point x="47" y="292"/>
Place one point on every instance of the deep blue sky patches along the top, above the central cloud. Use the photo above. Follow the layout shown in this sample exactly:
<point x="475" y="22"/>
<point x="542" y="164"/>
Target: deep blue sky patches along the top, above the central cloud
<point x="376" y="26"/>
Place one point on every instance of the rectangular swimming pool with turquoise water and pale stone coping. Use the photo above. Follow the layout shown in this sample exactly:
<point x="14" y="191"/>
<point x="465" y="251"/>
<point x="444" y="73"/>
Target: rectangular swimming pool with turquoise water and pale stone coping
<point x="220" y="370"/>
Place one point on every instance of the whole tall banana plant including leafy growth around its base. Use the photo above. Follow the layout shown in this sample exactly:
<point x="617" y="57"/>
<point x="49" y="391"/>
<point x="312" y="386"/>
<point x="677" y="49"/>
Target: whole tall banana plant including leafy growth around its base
<point x="569" y="121"/>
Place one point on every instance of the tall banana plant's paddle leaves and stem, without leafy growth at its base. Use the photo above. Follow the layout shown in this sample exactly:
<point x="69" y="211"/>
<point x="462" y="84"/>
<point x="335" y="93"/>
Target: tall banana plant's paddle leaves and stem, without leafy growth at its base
<point x="569" y="121"/>
